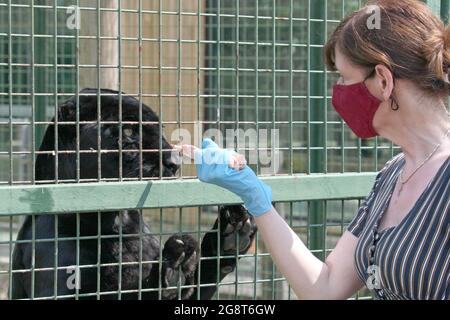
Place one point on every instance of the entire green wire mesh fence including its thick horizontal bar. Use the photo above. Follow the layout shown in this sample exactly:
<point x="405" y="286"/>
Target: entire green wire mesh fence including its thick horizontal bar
<point x="95" y="166"/>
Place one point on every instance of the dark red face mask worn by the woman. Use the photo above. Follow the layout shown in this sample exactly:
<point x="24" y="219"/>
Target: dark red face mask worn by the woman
<point x="357" y="106"/>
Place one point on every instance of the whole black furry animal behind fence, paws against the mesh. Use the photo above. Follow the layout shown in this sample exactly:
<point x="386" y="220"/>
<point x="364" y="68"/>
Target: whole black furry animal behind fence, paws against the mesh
<point x="181" y="253"/>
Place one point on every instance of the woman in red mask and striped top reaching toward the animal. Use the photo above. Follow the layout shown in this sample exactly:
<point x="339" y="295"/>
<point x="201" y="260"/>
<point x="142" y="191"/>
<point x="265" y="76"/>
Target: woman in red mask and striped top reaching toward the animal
<point x="393" y="83"/>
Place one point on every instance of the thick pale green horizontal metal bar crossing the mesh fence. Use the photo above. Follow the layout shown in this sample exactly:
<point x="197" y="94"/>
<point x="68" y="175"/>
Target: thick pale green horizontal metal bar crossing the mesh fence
<point x="61" y="198"/>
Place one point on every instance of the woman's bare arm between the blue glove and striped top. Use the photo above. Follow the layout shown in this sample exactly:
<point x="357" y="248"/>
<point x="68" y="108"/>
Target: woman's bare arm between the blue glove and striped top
<point x="309" y="277"/>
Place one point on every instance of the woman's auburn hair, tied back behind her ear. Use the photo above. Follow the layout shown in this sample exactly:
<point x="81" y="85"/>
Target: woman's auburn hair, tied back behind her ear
<point x="411" y="41"/>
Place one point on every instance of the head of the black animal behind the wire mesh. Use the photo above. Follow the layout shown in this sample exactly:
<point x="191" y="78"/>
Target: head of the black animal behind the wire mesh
<point x="109" y="139"/>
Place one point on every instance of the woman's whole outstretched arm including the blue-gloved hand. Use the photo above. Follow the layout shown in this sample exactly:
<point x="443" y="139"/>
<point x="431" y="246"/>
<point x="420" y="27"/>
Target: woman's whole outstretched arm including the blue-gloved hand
<point x="309" y="277"/>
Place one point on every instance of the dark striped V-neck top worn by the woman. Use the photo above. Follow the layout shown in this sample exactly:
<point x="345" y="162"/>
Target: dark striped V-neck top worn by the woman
<point x="412" y="259"/>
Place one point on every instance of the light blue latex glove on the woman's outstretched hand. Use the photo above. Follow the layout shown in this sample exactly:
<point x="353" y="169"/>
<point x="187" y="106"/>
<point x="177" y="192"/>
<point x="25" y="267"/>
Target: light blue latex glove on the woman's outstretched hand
<point x="212" y="167"/>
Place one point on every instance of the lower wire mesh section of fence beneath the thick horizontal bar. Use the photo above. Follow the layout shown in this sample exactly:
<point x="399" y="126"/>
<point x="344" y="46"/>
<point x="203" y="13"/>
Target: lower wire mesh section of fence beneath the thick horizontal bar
<point x="252" y="274"/>
